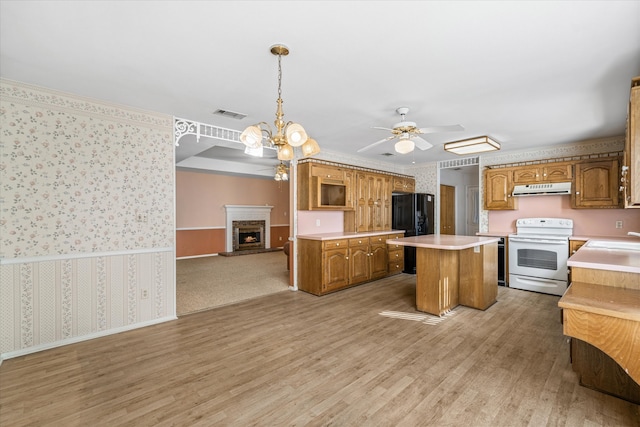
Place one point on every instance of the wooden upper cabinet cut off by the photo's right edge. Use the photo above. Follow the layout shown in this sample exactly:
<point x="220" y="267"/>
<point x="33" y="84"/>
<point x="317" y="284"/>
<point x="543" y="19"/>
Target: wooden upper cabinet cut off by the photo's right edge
<point x="631" y="173"/>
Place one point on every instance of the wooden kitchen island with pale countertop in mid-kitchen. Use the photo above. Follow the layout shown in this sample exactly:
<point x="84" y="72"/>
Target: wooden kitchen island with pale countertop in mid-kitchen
<point x="454" y="270"/>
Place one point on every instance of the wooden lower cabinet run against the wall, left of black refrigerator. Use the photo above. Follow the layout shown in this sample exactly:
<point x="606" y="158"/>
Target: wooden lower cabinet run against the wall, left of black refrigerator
<point x="330" y="265"/>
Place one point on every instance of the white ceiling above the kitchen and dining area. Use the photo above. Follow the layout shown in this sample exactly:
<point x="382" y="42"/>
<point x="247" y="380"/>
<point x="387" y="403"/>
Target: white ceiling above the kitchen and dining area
<point x="528" y="74"/>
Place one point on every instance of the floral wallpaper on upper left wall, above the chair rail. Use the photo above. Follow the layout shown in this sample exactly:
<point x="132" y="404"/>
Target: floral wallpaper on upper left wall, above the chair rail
<point x="79" y="176"/>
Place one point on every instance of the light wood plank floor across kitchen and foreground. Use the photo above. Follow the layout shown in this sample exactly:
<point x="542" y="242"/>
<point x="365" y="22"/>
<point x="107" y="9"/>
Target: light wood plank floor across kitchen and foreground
<point x="296" y="359"/>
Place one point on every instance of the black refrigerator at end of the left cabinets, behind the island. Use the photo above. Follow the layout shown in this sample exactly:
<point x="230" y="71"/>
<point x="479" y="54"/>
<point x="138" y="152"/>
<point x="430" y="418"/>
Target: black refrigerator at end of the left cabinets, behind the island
<point x="412" y="213"/>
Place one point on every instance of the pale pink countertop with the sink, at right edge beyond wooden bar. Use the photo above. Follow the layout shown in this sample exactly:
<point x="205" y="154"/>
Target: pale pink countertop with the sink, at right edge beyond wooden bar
<point x="606" y="259"/>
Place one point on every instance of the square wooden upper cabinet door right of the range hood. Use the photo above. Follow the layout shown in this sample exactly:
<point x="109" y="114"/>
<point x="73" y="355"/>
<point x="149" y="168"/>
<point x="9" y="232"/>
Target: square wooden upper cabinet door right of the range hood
<point x="596" y="185"/>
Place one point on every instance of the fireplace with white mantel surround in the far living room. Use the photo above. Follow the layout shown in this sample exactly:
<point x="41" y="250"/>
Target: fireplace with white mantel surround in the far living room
<point x="256" y="220"/>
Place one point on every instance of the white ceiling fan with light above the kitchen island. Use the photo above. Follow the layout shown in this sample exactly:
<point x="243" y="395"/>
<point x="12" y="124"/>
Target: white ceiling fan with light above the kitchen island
<point x="408" y="133"/>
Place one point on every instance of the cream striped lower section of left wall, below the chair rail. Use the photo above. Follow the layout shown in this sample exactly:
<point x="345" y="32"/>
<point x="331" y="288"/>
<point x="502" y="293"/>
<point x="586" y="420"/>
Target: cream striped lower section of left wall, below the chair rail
<point x="46" y="302"/>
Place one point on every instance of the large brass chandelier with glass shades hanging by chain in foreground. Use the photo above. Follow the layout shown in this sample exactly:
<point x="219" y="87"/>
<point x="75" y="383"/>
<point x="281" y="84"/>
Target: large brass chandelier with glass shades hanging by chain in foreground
<point x="287" y="135"/>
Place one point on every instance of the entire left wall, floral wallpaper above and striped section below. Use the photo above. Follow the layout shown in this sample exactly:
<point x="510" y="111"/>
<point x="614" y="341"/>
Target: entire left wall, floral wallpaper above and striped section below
<point x="87" y="218"/>
